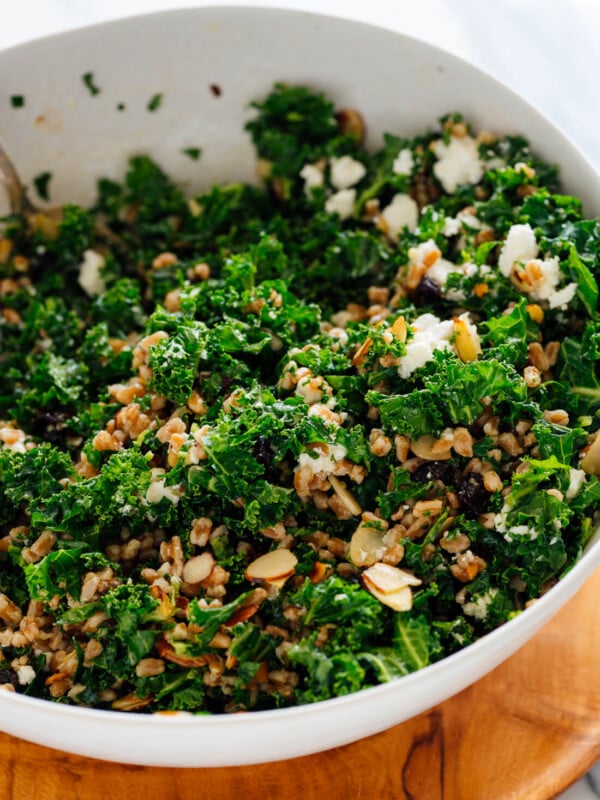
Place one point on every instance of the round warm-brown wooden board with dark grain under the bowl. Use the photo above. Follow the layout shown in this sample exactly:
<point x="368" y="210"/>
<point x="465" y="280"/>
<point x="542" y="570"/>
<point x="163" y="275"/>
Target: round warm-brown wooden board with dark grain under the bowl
<point x="527" y="731"/>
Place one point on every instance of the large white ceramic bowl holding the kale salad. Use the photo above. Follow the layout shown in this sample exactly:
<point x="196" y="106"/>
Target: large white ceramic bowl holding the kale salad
<point x="401" y="85"/>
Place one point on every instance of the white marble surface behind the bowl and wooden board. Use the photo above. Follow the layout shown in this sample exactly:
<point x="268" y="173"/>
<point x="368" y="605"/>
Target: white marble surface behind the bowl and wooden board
<point x="547" y="50"/>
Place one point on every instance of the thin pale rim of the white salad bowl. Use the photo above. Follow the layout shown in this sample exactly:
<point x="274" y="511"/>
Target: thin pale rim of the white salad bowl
<point x="542" y="608"/>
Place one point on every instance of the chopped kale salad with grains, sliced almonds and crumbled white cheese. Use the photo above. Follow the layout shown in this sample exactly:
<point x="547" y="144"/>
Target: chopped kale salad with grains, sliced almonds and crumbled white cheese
<point x="275" y="444"/>
